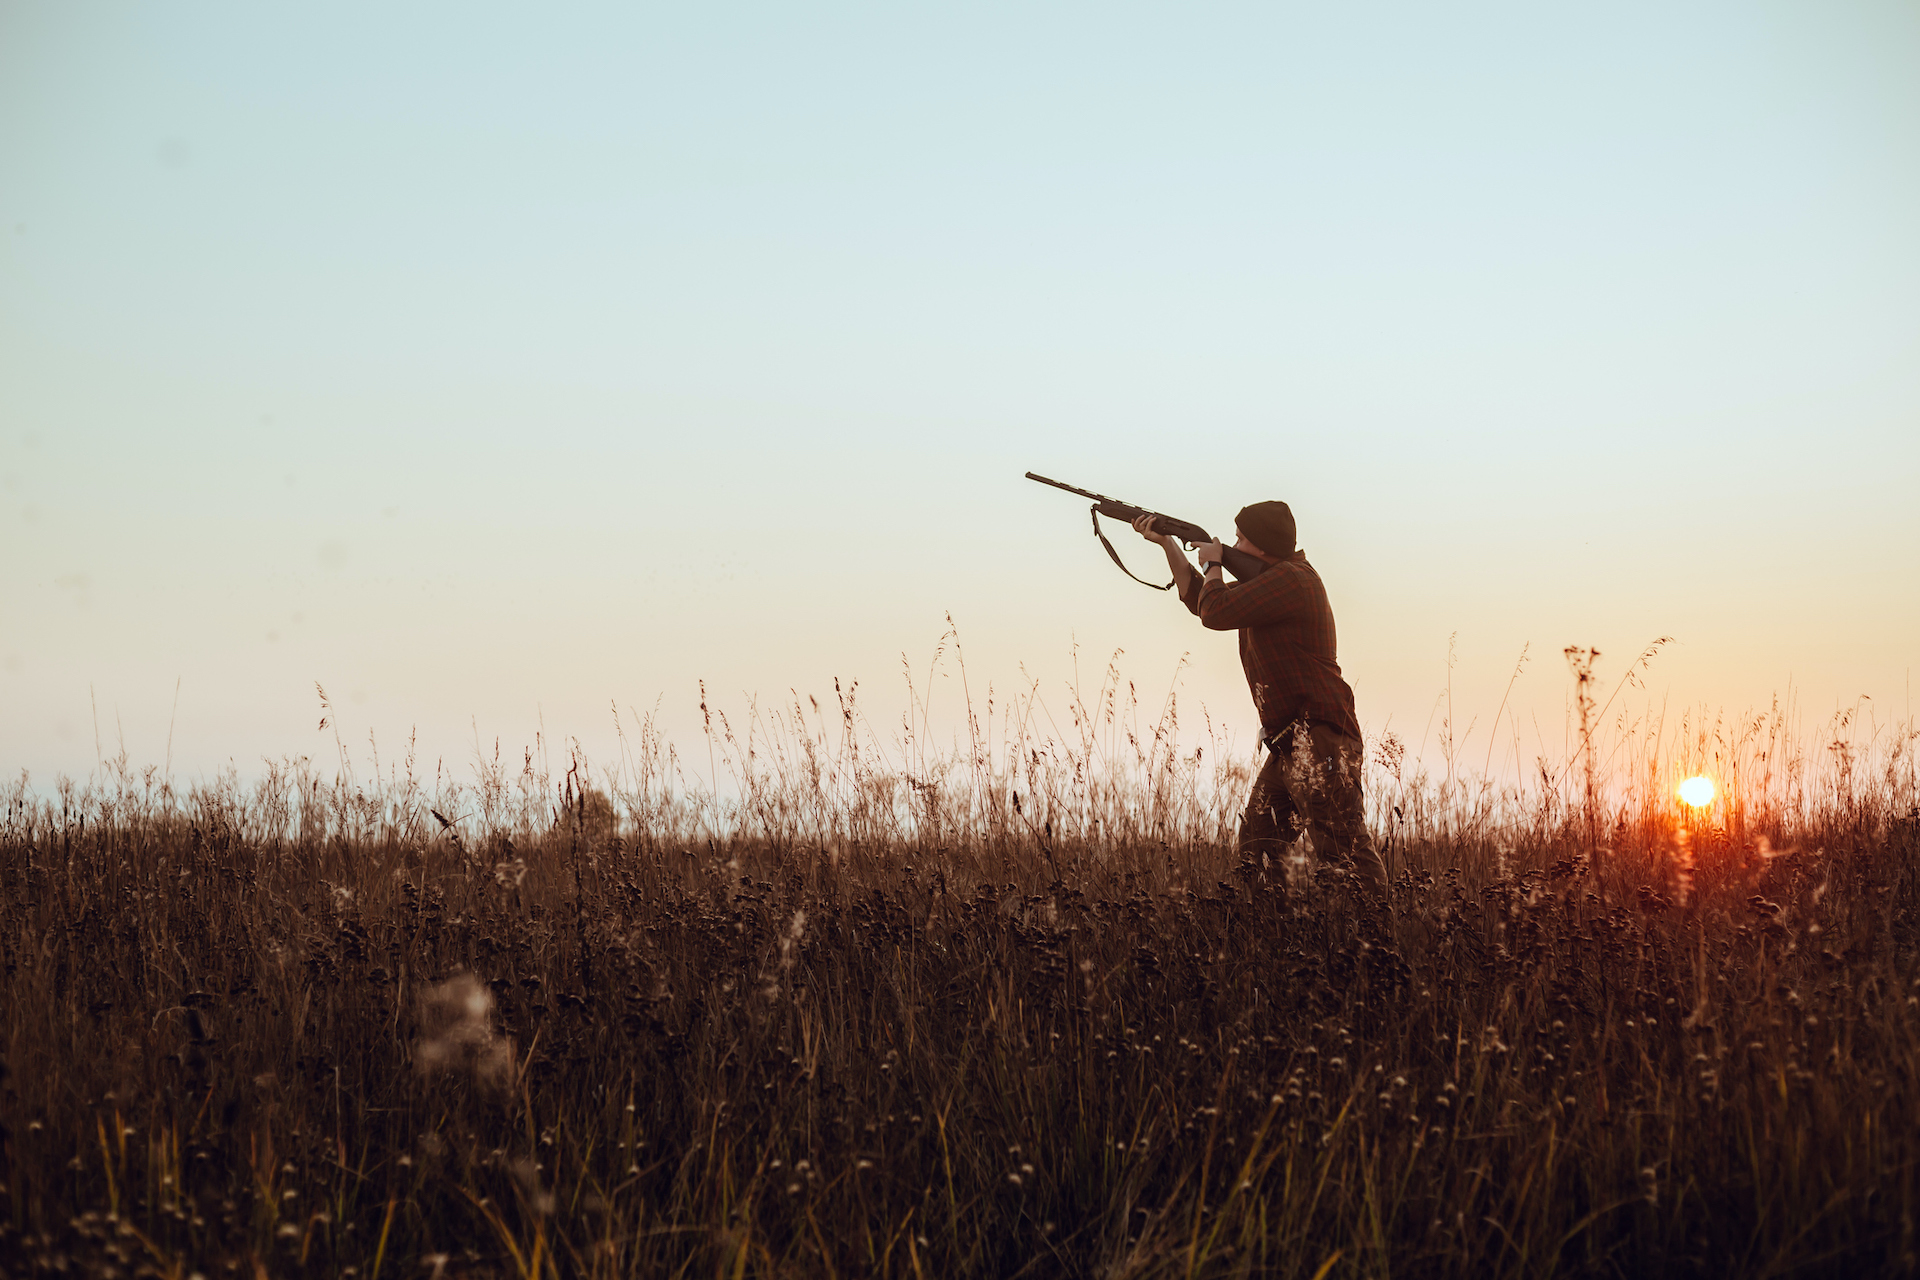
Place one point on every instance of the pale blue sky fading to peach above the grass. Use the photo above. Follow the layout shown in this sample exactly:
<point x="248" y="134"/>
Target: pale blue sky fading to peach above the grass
<point x="500" y="367"/>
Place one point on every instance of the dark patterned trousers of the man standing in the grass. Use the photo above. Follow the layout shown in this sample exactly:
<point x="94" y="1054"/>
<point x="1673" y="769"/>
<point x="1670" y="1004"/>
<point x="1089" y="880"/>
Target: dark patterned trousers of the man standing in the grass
<point x="1310" y="786"/>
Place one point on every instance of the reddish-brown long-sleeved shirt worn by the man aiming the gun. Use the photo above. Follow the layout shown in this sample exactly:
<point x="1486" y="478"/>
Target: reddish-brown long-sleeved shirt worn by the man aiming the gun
<point x="1287" y="644"/>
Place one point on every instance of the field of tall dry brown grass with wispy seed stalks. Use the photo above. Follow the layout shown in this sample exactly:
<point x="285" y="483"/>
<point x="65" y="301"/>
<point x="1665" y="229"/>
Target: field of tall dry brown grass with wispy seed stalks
<point x="1003" y="1008"/>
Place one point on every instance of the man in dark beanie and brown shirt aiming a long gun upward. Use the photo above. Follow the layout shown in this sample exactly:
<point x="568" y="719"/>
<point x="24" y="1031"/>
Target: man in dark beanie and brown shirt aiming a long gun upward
<point x="1307" y="711"/>
